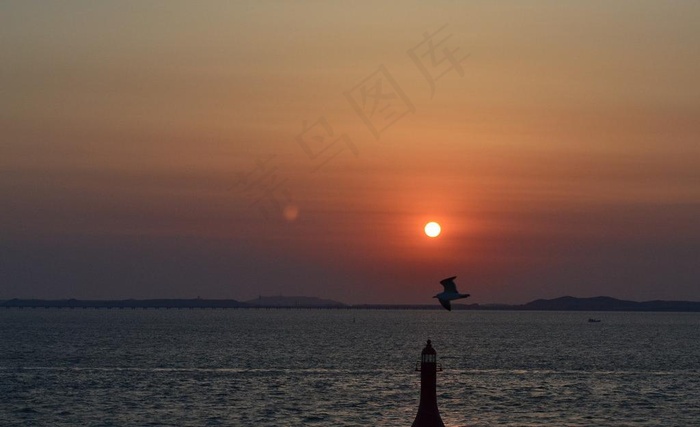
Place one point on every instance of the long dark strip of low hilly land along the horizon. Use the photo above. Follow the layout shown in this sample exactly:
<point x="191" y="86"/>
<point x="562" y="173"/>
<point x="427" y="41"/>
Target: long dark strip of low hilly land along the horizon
<point x="566" y="303"/>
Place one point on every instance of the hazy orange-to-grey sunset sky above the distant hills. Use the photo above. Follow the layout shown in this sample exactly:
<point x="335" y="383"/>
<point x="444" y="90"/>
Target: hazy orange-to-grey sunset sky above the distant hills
<point x="176" y="149"/>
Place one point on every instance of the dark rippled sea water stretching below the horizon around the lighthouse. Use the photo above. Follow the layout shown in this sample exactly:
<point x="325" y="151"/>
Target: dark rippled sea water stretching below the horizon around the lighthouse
<point x="345" y="368"/>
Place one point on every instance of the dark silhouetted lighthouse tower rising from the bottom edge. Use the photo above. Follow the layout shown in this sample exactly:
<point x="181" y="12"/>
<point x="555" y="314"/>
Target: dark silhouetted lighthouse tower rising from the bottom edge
<point x="428" y="414"/>
